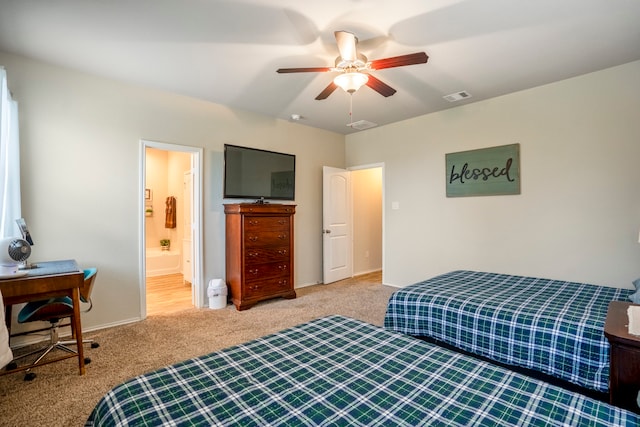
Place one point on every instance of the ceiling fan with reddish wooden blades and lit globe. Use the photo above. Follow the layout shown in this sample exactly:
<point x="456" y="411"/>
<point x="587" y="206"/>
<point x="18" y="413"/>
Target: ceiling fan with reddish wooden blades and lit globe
<point x="354" y="68"/>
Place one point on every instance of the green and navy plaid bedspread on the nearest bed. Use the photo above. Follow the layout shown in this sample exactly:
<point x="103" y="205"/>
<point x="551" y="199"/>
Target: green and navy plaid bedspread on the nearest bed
<point x="336" y="371"/>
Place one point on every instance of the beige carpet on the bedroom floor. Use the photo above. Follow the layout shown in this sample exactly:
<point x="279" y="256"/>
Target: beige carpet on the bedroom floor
<point x="58" y="396"/>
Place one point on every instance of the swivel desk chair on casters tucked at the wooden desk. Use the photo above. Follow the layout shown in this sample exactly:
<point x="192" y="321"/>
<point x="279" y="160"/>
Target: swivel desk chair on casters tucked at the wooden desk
<point x="54" y="310"/>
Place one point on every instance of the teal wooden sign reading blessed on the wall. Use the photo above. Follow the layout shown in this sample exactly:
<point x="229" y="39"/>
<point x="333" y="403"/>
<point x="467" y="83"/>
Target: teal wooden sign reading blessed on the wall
<point x="484" y="172"/>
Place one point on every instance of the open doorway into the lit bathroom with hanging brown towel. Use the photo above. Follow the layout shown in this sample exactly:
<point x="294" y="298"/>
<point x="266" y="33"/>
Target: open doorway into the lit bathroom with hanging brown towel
<point x="171" y="224"/>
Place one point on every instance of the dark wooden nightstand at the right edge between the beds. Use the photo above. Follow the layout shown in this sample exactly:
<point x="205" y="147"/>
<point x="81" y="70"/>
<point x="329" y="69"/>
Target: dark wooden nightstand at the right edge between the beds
<point x="624" y="376"/>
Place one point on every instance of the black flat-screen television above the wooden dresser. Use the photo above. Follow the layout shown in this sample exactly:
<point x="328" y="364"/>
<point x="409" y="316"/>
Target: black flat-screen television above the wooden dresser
<point x="250" y="173"/>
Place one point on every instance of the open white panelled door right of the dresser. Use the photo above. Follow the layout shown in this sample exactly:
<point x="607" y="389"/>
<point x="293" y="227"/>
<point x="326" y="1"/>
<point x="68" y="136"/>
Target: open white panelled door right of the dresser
<point x="336" y="224"/>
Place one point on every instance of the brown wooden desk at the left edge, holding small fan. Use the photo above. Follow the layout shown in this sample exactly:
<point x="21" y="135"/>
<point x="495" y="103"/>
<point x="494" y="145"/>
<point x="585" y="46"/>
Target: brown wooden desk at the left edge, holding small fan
<point x="47" y="280"/>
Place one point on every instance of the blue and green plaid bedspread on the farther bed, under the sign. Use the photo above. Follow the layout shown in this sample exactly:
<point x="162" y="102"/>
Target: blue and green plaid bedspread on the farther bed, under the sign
<point x="551" y="326"/>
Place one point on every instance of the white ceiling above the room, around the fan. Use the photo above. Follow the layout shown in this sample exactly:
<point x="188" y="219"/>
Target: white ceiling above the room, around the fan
<point x="227" y="52"/>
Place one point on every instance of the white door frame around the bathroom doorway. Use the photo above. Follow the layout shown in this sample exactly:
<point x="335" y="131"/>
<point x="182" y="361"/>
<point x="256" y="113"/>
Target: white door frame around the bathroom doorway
<point x="197" y="171"/>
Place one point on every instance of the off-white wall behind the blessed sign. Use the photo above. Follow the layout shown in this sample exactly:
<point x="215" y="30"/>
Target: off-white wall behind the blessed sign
<point x="578" y="214"/>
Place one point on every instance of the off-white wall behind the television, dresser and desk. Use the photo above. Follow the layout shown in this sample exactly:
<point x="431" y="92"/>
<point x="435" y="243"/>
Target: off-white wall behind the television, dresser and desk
<point x="80" y="144"/>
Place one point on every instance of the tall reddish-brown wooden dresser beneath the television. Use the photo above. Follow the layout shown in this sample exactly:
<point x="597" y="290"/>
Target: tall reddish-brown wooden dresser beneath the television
<point x="259" y="252"/>
